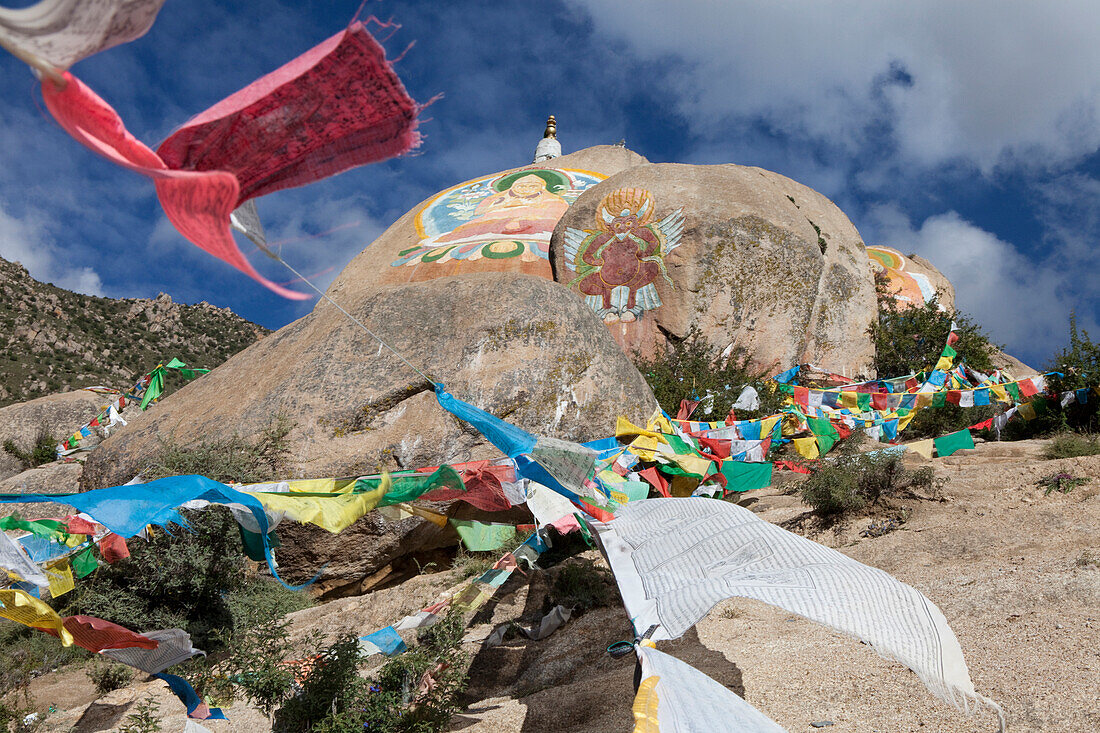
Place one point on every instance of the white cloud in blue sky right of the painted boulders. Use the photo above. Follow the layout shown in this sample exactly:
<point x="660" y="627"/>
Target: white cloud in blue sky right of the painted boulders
<point x="1018" y="303"/>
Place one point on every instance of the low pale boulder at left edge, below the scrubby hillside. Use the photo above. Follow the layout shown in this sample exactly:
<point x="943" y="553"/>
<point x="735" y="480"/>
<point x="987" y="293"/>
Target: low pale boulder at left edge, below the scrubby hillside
<point x="58" y="415"/>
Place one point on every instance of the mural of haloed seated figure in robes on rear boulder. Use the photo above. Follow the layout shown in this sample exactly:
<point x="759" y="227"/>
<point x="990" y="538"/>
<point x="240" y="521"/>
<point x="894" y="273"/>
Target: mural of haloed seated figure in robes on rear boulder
<point x="498" y="223"/>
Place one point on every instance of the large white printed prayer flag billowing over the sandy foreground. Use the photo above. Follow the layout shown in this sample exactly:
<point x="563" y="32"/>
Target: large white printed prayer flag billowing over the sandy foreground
<point x="674" y="560"/>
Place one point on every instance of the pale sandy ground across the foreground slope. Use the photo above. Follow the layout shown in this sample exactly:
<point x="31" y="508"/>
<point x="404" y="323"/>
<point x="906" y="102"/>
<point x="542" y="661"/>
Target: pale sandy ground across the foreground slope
<point x="1017" y="574"/>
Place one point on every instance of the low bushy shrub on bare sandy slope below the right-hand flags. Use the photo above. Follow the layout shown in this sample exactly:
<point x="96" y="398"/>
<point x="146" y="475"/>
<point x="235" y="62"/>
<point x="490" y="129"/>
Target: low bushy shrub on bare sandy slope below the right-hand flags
<point x="853" y="483"/>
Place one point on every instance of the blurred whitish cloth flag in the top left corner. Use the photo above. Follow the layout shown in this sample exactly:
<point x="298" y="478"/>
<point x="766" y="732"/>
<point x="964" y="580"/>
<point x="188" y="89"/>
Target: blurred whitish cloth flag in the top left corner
<point x="62" y="32"/>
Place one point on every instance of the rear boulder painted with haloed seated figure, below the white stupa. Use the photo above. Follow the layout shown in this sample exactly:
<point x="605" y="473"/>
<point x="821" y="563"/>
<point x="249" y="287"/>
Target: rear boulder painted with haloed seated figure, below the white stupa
<point x="497" y="223"/>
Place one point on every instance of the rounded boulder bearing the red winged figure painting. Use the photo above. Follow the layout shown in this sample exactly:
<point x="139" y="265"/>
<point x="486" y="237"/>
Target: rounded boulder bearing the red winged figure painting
<point x="752" y="259"/>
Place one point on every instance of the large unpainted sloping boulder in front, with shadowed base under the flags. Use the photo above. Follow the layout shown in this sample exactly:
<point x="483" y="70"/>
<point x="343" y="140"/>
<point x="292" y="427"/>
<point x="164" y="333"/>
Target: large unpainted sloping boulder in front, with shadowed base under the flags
<point x="519" y="346"/>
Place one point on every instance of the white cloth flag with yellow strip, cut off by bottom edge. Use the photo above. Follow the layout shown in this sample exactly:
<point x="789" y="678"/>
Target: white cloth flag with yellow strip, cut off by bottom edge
<point x="677" y="698"/>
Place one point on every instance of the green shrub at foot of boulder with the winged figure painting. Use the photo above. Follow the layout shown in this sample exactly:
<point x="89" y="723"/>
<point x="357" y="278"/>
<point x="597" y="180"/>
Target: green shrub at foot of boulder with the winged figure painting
<point x="691" y="368"/>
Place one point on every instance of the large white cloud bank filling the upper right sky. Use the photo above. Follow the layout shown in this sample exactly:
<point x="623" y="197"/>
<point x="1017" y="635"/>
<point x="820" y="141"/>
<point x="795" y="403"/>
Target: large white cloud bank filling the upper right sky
<point x="988" y="81"/>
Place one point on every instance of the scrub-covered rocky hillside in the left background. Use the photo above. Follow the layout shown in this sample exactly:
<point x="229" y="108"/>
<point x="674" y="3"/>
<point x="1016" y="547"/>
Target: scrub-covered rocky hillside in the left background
<point x="56" y="341"/>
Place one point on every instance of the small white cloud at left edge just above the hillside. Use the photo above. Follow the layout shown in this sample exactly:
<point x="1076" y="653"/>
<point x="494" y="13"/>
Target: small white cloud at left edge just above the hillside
<point x="28" y="243"/>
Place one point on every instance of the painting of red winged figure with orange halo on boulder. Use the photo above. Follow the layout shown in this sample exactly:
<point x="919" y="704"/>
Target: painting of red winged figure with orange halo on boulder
<point x="619" y="262"/>
